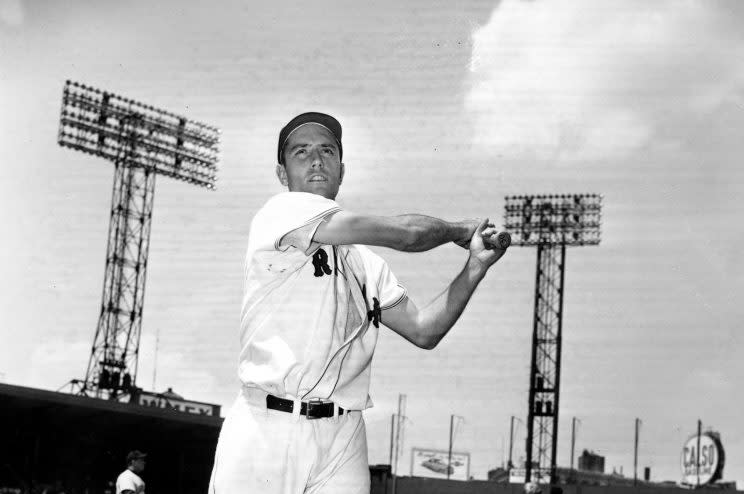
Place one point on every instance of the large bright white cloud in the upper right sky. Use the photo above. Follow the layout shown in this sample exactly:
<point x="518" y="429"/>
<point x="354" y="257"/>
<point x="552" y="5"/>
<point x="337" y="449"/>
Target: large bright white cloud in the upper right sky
<point x="583" y="79"/>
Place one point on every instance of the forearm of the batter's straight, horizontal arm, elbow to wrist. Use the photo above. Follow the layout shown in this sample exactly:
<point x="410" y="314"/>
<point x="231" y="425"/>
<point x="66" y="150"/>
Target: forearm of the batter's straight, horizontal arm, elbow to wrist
<point x="425" y="232"/>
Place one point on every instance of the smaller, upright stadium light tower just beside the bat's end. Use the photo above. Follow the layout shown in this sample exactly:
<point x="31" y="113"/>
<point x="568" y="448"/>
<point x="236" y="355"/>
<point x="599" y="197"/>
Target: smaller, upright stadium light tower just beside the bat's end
<point x="551" y="223"/>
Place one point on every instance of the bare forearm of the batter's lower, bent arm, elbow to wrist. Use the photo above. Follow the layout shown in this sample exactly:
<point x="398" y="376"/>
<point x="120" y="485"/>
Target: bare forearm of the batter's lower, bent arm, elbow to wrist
<point x="439" y="316"/>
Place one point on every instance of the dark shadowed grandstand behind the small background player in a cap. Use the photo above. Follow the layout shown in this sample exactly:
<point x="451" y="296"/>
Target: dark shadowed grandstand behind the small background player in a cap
<point x="55" y="442"/>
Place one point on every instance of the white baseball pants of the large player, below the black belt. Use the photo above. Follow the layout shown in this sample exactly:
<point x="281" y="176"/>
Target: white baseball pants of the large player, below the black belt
<point x="274" y="452"/>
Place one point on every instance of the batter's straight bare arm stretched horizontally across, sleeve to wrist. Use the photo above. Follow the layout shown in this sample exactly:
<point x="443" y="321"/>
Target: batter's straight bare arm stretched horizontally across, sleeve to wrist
<point x="408" y="232"/>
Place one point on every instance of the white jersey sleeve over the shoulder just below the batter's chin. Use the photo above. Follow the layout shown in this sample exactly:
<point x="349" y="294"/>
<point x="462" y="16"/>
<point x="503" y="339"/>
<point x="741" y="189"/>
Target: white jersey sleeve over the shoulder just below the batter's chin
<point x="290" y="219"/>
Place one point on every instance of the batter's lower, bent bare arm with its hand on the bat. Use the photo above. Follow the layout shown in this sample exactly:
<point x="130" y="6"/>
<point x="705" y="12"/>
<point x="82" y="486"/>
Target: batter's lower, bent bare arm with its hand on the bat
<point x="426" y="326"/>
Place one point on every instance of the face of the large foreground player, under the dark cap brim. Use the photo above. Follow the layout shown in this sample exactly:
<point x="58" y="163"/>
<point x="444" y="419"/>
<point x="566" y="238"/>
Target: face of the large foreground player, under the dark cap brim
<point x="311" y="162"/>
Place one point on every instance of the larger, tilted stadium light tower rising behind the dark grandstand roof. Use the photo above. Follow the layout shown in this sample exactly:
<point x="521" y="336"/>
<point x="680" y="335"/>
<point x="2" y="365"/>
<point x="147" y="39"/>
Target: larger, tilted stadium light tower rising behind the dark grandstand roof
<point x="142" y="142"/>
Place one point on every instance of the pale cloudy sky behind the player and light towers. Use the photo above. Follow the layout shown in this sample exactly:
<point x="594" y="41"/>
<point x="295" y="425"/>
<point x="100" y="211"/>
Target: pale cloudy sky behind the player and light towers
<point x="447" y="107"/>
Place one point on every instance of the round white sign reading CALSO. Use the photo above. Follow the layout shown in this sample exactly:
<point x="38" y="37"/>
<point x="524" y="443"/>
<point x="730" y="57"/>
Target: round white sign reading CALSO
<point x="702" y="459"/>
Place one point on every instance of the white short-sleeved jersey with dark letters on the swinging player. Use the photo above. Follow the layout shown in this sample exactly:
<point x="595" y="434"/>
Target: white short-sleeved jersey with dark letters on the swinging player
<point x="310" y="314"/>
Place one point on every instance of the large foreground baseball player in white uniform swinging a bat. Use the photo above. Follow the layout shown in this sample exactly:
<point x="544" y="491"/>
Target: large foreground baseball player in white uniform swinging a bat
<point x="314" y="298"/>
